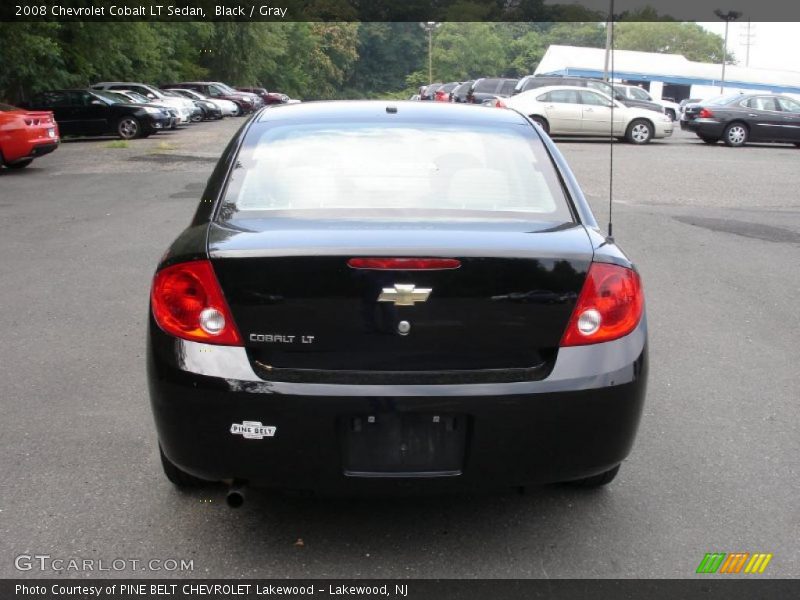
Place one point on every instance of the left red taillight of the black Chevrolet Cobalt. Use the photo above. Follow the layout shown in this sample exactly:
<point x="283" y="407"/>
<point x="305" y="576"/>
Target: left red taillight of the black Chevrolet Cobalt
<point x="188" y="303"/>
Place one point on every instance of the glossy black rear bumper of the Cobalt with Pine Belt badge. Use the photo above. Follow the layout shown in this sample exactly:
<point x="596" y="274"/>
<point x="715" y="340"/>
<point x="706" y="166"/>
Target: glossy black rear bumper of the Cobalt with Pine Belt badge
<point x="580" y="421"/>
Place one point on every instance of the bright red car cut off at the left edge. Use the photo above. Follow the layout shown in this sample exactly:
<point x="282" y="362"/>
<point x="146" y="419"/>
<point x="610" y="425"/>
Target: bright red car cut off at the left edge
<point x="25" y="135"/>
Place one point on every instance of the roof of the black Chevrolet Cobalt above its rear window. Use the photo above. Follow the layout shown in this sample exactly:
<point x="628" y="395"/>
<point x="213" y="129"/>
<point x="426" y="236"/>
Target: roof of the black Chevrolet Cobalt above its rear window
<point x="378" y="110"/>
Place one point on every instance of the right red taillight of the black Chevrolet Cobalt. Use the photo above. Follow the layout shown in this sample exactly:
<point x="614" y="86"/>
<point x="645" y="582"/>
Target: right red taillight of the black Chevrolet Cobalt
<point x="609" y="306"/>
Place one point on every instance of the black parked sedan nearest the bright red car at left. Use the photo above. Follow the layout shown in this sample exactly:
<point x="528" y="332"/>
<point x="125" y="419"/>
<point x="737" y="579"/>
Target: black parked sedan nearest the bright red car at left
<point x="90" y="112"/>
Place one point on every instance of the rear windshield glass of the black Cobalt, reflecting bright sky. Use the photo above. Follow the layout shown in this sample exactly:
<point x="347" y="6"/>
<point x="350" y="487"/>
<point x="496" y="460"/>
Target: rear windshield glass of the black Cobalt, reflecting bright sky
<point x="360" y="168"/>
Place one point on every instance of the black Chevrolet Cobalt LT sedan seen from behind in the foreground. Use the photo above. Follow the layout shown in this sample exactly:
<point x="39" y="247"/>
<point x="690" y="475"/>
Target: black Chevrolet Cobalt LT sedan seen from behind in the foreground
<point x="399" y="296"/>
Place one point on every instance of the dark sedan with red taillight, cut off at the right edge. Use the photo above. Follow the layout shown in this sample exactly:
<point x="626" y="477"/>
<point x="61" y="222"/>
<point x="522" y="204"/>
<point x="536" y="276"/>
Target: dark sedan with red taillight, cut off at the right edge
<point x="740" y="118"/>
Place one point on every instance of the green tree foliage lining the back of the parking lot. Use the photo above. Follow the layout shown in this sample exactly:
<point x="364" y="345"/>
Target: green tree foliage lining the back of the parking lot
<point x="313" y="60"/>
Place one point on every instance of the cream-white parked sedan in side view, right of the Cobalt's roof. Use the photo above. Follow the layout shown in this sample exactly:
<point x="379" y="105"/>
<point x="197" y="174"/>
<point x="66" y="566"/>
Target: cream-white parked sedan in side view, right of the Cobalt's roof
<point x="582" y="111"/>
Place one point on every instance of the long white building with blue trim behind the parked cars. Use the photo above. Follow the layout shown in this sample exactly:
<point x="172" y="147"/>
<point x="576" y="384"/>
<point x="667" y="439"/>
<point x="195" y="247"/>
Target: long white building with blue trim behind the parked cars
<point x="666" y="75"/>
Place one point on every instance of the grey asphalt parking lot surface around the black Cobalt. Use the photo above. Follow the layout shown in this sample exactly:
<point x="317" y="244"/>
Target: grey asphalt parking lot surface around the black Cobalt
<point x="715" y="232"/>
